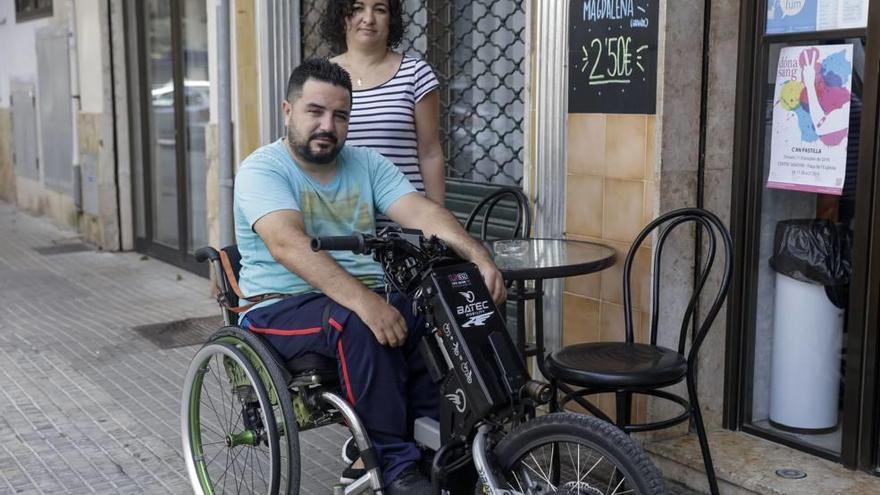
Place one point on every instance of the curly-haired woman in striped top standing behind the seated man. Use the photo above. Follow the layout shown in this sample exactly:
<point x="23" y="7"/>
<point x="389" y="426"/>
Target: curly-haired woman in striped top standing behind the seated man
<point x="395" y="97"/>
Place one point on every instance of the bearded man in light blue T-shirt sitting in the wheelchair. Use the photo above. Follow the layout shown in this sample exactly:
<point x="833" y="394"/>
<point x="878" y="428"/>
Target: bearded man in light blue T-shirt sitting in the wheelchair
<point x="311" y="184"/>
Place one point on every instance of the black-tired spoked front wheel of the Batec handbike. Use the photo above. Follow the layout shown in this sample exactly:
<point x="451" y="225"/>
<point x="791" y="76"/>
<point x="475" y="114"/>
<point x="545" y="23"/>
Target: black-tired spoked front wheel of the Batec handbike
<point x="571" y="454"/>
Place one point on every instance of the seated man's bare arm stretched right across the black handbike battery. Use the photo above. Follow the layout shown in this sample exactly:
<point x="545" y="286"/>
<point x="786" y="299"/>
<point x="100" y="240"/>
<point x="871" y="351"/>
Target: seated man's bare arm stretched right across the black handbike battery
<point x="415" y="211"/>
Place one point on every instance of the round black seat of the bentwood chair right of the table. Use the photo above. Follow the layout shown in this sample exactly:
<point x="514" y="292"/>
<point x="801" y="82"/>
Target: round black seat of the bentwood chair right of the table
<point x="617" y="365"/>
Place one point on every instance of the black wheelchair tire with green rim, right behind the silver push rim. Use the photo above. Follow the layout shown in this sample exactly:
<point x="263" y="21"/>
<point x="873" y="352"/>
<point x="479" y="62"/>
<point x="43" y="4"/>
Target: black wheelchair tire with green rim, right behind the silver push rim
<point x="268" y="365"/>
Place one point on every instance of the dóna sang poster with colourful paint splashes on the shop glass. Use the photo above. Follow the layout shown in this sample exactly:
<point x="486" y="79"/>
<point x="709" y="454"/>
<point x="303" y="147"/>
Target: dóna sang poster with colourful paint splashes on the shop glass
<point x="811" y="118"/>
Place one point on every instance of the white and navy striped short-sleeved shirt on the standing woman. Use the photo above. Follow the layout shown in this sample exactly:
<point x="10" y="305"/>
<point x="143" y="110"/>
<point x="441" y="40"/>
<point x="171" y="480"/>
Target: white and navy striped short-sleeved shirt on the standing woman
<point x="383" y="118"/>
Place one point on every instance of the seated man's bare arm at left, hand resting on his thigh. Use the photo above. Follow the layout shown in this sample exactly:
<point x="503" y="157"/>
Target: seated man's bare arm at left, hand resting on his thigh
<point x="284" y="234"/>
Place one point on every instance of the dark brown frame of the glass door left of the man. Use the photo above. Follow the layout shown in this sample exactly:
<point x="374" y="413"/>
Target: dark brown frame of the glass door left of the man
<point x="139" y="126"/>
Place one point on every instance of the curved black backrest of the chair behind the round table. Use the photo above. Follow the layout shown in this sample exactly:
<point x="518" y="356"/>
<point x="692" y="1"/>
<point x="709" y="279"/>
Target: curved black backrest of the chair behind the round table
<point x="507" y="199"/>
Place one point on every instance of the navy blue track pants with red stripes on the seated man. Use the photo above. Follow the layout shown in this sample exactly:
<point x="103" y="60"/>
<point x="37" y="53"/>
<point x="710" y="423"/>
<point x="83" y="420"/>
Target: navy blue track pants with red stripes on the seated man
<point x="389" y="387"/>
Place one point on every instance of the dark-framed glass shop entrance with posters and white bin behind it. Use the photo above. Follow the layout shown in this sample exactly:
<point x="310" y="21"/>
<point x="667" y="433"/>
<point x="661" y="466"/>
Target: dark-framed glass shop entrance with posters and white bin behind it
<point x="804" y="185"/>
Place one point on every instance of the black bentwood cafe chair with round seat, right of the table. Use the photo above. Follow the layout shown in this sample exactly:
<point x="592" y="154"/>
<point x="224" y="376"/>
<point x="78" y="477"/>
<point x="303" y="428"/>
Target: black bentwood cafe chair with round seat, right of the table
<point x="627" y="368"/>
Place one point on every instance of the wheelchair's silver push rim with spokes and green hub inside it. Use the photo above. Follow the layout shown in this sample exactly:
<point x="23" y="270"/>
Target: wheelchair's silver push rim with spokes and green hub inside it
<point x="230" y="436"/>
